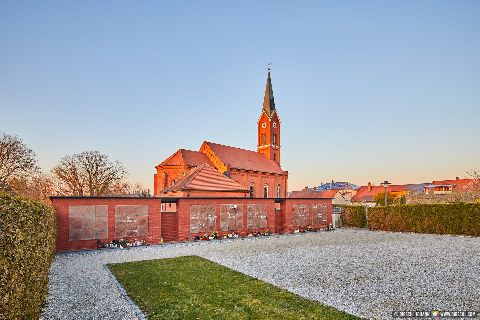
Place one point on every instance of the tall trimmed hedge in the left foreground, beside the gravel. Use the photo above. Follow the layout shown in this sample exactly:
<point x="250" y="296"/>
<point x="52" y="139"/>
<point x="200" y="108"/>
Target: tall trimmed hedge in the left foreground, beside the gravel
<point x="27" y="246"/>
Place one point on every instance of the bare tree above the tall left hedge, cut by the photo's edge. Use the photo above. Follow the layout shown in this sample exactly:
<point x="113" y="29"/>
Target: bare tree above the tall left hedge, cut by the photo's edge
<point x="17" y="161"/>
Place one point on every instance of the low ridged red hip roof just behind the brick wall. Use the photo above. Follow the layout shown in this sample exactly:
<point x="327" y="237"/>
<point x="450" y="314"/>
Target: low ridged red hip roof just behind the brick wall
<point x="206" y="178"/>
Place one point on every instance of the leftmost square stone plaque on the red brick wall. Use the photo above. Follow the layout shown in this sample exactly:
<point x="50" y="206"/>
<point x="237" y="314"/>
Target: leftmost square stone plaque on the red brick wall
<point x="87" y="222"/>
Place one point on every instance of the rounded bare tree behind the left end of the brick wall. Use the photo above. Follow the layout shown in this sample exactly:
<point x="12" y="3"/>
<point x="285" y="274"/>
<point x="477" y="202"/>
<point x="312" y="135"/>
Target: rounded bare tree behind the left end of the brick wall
<point x="89" y="173"/>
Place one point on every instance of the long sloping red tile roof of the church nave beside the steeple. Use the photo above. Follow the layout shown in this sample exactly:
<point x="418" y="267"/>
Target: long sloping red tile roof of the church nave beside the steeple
<point x="244" y="159"/>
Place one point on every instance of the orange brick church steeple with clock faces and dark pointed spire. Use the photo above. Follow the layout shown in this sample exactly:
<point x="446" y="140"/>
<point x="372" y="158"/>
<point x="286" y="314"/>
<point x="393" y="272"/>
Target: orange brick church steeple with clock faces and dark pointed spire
<point x="269" y="126"/>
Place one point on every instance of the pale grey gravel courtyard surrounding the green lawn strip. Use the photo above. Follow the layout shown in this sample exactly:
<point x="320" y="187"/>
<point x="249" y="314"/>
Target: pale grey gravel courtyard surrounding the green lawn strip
<point x="368" y="274"/>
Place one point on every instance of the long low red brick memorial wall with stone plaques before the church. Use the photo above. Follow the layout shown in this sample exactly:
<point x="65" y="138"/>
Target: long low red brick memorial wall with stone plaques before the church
<point x="84" y="221"/>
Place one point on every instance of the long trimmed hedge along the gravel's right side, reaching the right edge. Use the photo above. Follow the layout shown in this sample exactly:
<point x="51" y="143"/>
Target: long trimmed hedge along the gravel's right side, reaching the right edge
<point x="453" y="218"/>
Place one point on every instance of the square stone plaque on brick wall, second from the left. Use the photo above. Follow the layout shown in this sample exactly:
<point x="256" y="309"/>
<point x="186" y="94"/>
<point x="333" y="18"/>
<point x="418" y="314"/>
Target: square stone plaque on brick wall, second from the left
<point x="131" y="221"/>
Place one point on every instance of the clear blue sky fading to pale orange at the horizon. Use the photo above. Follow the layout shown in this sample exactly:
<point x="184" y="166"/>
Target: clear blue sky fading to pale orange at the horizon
<point x="366" y="90"/>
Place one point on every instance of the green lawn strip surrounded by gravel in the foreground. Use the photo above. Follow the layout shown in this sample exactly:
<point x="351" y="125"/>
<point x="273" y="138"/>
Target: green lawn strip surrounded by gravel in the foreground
<point x="192" y="287"/>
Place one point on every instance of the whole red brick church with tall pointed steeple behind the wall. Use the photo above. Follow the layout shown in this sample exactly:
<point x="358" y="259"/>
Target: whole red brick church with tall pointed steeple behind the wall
<point x="217" y="170"/>
